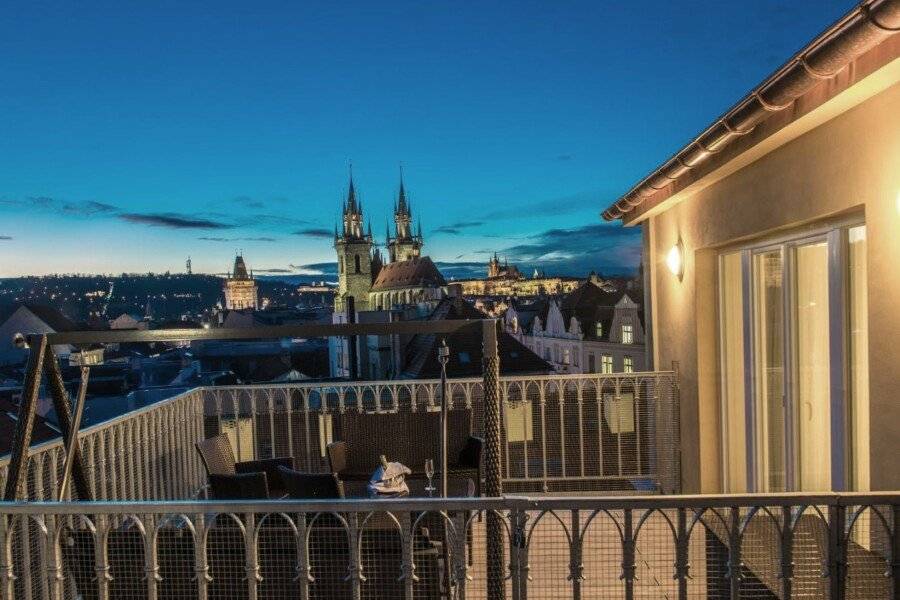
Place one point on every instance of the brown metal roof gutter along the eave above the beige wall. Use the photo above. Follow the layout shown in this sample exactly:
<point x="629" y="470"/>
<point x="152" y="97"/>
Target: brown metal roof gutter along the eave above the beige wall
<point x="866" y="26"/>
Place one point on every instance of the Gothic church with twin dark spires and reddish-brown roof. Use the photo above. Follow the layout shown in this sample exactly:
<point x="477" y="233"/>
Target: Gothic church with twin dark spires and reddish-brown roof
<point x="376" y="282"/>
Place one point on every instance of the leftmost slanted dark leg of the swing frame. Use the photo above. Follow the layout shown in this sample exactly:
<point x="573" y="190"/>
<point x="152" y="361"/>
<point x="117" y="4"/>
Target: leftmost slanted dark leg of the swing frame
<point x="15" y="475"/>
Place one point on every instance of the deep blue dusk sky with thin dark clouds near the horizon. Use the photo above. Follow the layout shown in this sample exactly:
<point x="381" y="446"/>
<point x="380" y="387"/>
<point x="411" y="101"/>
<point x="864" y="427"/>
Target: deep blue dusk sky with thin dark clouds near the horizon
<point x="134" y="135"/>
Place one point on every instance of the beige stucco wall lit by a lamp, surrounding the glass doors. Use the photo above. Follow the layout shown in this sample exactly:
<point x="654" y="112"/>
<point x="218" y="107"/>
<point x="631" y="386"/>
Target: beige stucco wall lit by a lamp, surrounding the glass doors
<point x="851" y="162"/>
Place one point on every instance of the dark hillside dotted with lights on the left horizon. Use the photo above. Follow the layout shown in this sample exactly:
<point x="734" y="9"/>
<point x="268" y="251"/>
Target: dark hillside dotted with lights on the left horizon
<point x="83" y="297"/>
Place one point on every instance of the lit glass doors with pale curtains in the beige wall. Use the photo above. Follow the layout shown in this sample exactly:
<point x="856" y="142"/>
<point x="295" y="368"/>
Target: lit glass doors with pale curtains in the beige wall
<point x="793" y="363"/>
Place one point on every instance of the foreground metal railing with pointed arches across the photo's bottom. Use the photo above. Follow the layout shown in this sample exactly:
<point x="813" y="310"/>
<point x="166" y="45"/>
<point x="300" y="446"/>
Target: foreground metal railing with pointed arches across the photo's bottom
<point x="763" y="546"/>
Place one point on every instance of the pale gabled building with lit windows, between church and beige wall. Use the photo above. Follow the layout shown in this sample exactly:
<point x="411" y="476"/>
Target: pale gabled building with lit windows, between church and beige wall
<point x="589" y="330"/>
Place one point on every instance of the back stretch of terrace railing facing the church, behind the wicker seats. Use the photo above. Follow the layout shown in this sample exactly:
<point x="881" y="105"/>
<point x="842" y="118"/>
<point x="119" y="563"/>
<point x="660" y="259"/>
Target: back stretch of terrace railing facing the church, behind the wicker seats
<point x="586" y="432"/>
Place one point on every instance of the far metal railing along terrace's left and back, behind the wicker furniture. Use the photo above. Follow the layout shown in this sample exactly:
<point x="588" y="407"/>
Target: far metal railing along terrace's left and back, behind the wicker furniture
<point x="560" y="433"/>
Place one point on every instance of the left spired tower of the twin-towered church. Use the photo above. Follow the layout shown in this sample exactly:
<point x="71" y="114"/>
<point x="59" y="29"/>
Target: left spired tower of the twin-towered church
<point x="354" y="250"/>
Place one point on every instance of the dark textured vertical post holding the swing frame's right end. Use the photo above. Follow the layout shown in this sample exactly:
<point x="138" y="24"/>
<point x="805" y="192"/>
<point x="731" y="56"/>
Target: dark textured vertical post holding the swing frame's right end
<point x="493" y="485"/>
